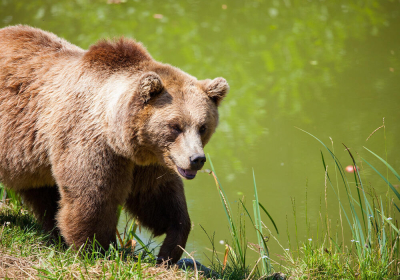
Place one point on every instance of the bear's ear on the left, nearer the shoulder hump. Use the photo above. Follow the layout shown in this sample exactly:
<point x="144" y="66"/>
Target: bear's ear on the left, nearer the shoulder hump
<point x="150" y="86"/>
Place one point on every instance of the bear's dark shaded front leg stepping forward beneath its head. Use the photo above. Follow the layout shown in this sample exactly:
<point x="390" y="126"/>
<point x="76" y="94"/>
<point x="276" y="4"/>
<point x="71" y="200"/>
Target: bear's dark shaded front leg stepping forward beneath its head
<point x="158" y="201"/>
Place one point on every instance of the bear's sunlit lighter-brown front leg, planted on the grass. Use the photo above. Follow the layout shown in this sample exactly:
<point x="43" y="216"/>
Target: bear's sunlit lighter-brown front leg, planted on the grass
<point x="92" y="184"/>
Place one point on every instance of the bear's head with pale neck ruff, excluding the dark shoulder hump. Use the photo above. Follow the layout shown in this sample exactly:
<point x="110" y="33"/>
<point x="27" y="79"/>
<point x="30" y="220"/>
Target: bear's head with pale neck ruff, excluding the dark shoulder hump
<point x="166" y="117"/>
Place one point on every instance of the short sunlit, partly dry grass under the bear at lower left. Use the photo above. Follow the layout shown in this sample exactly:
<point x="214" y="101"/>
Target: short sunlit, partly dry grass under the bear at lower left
<point x="27" y="252"/>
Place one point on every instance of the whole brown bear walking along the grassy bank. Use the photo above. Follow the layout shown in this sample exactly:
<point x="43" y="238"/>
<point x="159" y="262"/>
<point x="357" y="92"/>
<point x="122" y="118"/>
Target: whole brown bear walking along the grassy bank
<point x="82" y="132"/>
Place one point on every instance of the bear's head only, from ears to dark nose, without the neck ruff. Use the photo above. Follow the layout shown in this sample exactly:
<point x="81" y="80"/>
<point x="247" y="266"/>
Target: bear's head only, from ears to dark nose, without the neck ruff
<point x="179" y="115"/>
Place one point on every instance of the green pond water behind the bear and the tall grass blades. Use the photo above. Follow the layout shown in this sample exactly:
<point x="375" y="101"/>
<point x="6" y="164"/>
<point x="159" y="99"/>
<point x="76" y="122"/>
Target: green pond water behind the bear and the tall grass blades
<point x="329" y="67"/>
